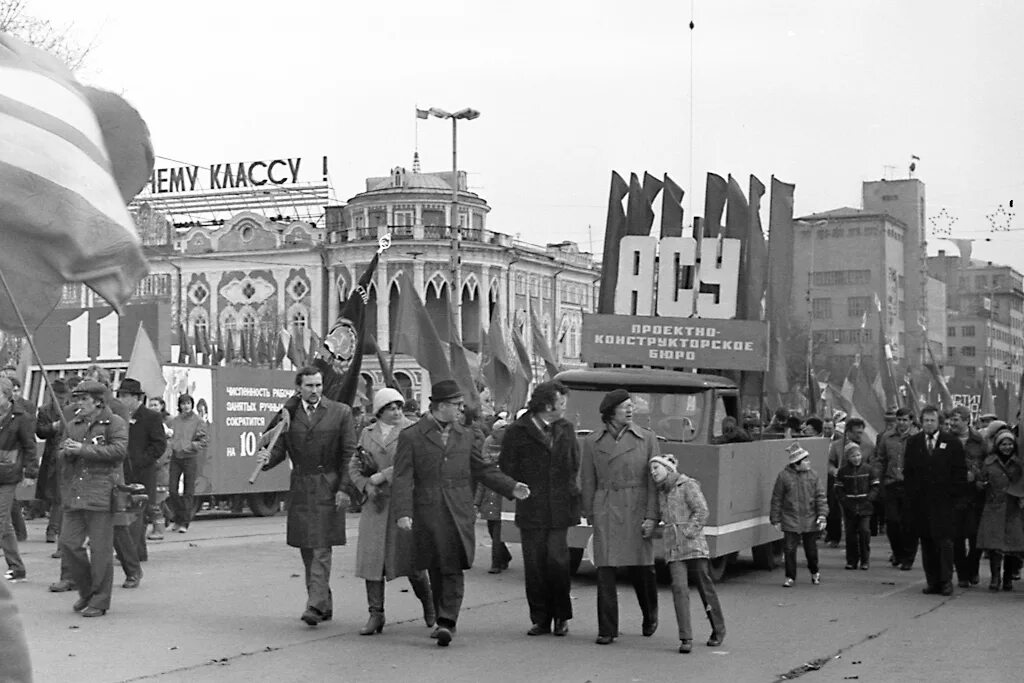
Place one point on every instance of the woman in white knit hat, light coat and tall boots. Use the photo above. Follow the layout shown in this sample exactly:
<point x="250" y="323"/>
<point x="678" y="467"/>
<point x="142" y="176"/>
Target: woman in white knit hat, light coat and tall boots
<point x="383" y="552"/>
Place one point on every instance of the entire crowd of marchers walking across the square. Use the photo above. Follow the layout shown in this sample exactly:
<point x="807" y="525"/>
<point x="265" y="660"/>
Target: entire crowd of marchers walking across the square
<point x="931" y="481"/>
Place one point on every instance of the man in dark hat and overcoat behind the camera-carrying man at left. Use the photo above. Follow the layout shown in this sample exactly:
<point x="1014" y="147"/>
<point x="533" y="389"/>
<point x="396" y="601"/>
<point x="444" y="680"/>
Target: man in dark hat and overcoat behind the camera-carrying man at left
<point x="147" y="443"/>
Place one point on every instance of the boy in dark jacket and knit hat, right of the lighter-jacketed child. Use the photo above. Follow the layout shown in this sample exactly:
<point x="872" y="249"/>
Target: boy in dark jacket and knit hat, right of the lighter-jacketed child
<point x="857" y="490"/>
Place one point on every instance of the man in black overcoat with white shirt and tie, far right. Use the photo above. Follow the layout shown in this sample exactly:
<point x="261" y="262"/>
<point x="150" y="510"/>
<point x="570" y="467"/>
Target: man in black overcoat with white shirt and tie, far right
<point x="934" y="478"/>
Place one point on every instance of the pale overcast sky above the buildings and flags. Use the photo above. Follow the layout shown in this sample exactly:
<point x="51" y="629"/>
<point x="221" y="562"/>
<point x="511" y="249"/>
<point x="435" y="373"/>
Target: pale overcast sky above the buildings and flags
<point x="823" y="95"/>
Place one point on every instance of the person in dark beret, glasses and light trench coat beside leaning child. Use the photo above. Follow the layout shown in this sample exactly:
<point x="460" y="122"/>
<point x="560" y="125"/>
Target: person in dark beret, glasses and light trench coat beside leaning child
<point x="620" y="500"/>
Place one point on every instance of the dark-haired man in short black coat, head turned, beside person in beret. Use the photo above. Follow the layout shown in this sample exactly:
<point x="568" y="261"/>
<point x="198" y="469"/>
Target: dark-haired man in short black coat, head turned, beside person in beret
<point x="540" y="449"/>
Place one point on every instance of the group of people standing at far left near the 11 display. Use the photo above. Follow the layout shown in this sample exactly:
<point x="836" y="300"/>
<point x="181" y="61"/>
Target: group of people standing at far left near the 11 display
<point x="98" y="444"/>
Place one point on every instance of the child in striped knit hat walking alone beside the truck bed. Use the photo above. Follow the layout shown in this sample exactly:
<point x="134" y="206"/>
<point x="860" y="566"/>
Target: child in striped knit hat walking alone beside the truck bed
<point x="799" y="510"/>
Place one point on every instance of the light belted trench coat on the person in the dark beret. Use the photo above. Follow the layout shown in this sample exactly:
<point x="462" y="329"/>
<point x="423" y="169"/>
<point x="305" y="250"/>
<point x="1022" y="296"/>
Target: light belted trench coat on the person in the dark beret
<point x="618" y="494"/>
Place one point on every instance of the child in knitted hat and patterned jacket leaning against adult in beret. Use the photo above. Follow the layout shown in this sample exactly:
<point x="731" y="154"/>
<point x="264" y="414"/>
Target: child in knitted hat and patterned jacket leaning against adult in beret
<point x="685" y="511"/>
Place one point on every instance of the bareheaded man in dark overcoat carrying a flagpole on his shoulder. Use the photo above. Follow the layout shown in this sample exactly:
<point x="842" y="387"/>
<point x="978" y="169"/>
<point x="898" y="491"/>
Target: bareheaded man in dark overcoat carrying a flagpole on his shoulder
<point x="320" y="441"/>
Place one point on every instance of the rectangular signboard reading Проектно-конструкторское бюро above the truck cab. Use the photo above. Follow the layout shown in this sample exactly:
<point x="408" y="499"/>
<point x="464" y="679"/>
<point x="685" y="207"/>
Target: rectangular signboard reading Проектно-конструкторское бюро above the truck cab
<point x="675" y="343"/>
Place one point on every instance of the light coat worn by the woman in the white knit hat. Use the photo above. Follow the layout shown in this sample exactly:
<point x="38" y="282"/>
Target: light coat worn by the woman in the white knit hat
<point x="382" y="550"/>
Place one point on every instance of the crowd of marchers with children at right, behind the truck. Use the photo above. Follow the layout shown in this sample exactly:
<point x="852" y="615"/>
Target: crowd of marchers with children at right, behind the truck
<point x="936" y="480"/>
